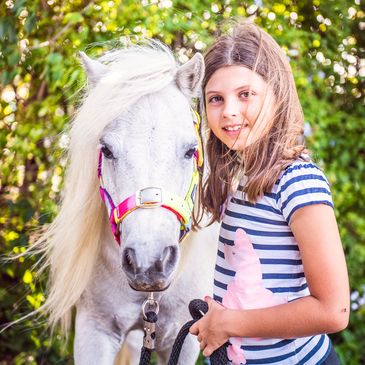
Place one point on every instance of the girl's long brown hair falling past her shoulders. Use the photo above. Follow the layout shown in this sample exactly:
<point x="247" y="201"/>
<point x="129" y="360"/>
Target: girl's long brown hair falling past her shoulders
<point x="281" y="143"/>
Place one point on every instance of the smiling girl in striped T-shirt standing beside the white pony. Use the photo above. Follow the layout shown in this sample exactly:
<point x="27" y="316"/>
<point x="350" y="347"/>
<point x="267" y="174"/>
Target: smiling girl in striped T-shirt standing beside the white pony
<point x="280" y="272"/>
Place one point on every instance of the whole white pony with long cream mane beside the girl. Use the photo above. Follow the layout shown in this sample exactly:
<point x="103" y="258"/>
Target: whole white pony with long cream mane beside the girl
<point x="136" y="121"/>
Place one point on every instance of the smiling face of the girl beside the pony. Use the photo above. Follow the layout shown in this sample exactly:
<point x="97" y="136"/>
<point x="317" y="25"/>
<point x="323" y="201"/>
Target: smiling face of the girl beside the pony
<point x="239" y="106"/>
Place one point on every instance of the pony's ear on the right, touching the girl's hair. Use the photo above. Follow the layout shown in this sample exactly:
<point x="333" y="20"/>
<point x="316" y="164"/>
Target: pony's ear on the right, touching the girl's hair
<point x="190" y="76"/>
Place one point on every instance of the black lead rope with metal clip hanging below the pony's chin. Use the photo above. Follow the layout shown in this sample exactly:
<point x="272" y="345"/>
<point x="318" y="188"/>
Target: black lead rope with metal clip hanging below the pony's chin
<point x="197" y="309"/>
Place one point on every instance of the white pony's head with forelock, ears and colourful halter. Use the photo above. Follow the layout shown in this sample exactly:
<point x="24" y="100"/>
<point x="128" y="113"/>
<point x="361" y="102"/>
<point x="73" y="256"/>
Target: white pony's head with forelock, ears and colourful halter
<point x="146" y="150"/>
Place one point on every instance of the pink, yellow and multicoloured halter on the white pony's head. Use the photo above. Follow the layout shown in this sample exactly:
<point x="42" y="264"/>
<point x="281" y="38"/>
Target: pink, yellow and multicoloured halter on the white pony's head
<point x="154" y="197"/>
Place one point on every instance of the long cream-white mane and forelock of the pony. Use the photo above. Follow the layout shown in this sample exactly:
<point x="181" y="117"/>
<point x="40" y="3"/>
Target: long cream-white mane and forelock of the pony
<point x="72" y="242"/>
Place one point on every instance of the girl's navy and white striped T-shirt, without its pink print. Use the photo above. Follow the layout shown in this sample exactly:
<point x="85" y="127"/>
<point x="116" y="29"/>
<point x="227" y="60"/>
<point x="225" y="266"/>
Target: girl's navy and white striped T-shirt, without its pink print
<point x="267" y="225"/>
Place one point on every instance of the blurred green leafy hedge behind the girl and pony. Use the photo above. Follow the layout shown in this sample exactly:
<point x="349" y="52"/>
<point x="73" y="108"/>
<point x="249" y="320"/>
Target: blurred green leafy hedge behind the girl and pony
<point x="40" y="83"/>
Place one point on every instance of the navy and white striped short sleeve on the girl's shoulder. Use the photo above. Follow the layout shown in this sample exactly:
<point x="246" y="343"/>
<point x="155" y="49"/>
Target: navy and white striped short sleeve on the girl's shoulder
<point x="302" y="184"/>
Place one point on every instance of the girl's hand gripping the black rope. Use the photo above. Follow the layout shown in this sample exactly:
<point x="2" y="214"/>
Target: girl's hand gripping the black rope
<point x="211" y="328"/>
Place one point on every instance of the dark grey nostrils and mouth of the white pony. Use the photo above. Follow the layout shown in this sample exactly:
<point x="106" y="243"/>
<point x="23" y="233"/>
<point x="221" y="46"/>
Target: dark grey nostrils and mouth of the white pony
<point x="152" y="276"/>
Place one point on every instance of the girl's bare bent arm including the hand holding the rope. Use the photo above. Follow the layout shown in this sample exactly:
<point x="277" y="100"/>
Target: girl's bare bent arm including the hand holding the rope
<point x="326" y="310"/>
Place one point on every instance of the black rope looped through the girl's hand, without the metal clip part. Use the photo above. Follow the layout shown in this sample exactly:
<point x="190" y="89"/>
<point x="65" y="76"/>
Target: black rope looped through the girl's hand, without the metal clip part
<point x="196" y="308"/>
